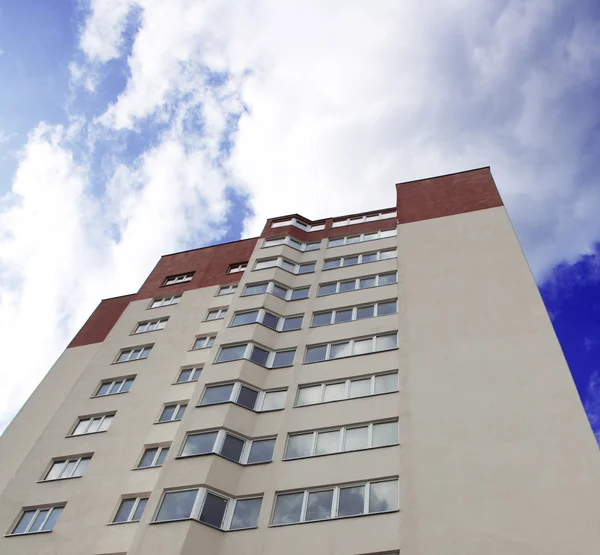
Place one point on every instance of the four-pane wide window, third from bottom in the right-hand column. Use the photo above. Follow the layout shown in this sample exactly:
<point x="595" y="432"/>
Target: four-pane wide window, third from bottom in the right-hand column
<point x="375" y="384"/>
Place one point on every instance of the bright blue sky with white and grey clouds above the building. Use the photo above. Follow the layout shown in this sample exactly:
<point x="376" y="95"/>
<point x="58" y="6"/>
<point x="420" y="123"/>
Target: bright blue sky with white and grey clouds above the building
<point x="134" y="128"/>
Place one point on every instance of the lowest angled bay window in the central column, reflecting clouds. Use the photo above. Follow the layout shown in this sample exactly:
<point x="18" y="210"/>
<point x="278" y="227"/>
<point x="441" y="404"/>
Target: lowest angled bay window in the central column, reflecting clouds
<point x="209" y="508"/>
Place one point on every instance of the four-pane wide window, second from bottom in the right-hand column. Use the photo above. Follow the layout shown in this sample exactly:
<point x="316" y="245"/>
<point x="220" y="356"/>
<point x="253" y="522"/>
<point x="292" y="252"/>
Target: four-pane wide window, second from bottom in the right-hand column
<point x="339" y="440"/>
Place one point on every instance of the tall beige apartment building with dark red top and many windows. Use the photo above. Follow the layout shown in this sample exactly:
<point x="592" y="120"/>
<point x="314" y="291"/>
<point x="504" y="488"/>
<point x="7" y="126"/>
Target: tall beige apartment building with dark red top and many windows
<point x="378" y="383"/>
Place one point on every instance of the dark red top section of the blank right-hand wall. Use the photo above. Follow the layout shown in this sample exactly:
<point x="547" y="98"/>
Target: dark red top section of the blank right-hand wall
<point x="446" y="195"/>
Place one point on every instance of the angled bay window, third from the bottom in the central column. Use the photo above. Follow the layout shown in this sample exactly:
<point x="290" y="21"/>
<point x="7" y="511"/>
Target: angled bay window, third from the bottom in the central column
<point x="241" y="394"/>
